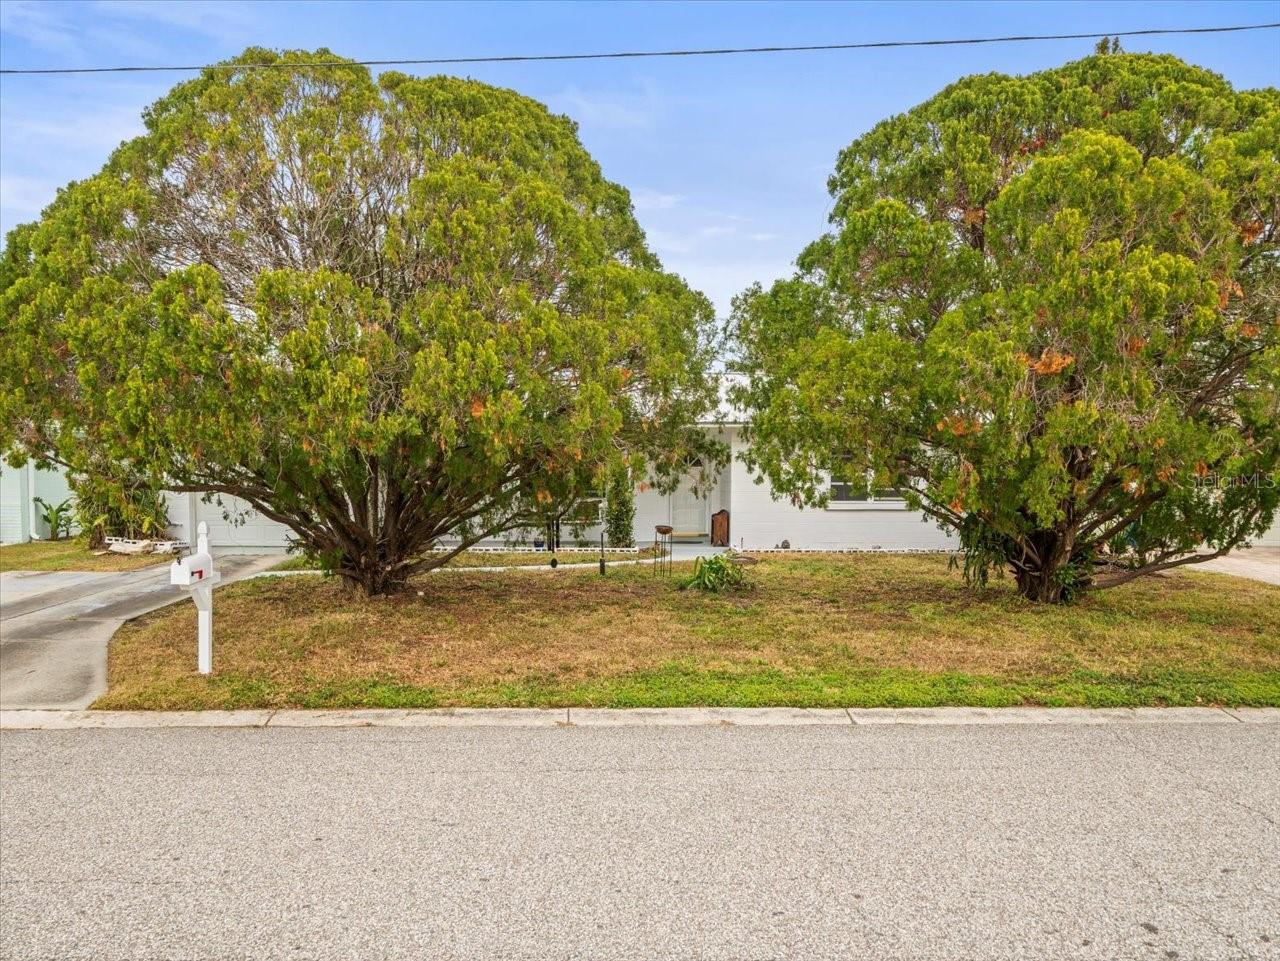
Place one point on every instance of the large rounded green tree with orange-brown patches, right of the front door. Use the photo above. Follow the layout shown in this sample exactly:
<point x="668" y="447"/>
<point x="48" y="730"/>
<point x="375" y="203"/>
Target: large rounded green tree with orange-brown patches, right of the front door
<point x="1049" y="309"/>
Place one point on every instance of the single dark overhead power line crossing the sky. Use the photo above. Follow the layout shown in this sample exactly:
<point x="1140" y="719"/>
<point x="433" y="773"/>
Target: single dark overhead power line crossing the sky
<point x="639" y="54"/>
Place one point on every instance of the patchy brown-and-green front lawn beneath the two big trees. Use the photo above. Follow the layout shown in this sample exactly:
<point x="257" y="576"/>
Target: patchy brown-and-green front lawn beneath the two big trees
<point x="858" y="630"/>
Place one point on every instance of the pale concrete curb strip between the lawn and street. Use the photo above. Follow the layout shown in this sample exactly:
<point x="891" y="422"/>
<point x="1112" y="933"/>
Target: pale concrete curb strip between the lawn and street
<point x="632" y="717"/>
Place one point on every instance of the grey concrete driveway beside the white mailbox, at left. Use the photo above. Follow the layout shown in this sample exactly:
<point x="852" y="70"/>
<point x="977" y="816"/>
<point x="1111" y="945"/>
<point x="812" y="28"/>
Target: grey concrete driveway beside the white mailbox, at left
<point x="56" y="626"/>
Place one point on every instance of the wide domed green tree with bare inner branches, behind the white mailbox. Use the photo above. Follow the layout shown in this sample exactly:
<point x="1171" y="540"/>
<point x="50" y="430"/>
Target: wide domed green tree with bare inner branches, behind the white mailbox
<point x="382" y="312"/>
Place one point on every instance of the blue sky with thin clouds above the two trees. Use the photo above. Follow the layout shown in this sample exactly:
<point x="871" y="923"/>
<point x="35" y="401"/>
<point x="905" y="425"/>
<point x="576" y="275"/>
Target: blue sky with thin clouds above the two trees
<point x="726" y="158"/>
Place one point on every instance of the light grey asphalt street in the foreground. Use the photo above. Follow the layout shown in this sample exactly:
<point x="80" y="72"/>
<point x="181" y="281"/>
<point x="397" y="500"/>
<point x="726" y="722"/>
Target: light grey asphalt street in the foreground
<point x="1117" y="841"/>
